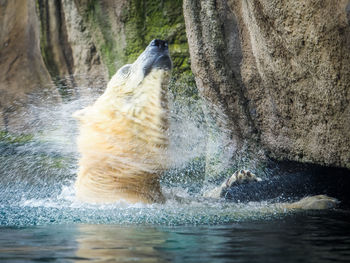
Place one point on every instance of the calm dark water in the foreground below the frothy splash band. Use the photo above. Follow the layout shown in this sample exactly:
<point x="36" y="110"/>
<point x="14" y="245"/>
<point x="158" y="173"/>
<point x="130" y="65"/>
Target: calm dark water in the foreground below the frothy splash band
<point x="302" y="237"/>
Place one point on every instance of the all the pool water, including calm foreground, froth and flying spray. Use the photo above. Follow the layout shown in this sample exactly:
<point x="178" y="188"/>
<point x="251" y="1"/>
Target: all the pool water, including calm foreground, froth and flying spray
<point x="41" y="221"/>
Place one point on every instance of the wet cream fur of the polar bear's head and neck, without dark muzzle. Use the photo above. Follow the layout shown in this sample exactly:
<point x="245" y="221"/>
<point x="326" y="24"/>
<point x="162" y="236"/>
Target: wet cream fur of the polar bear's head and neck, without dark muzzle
<point x="123" y="140"/>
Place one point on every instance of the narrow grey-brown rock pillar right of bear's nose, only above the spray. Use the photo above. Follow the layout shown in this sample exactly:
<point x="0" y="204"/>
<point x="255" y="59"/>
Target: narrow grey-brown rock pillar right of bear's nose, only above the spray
<point x="215" y="58"/>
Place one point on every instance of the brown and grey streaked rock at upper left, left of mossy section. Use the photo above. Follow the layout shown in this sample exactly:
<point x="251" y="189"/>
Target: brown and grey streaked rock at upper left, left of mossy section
<point x="45" y="49"/>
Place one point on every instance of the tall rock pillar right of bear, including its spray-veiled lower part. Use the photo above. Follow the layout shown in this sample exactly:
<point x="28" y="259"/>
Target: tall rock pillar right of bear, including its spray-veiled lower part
<point x="215" y="61"/>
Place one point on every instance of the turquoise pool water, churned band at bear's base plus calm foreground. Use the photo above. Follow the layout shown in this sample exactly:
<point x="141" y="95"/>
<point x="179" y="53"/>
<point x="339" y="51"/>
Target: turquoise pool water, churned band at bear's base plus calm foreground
<point x="41" y="221"/>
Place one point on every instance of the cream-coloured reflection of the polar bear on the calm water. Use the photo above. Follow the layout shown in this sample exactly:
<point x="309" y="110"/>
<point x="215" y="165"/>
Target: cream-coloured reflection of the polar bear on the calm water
<point x="106" y="243"/>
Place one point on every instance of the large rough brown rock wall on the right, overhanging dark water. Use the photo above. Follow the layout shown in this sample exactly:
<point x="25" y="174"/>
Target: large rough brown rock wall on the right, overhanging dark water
<point x="302" y="57"/>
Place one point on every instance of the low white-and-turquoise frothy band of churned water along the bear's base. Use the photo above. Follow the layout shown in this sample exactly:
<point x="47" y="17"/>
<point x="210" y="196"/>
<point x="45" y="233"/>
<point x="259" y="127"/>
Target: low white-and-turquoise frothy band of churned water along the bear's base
<point x="64" y="209"/>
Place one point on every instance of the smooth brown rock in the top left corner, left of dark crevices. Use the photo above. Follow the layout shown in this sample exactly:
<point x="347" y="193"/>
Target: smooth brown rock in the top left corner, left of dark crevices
<point x="22" y="69"/>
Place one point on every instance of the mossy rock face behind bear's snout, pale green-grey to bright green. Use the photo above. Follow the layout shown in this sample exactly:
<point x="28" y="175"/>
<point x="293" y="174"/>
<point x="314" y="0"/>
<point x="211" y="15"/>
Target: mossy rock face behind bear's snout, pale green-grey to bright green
<point x="122" y="36"/>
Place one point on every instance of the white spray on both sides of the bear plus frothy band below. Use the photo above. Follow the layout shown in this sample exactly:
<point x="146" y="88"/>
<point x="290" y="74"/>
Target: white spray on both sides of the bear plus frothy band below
<point x="38" y="173"/>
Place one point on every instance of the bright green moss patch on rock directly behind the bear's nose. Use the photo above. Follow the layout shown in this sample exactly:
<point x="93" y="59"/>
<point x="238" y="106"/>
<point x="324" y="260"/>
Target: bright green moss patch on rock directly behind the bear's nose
<point x="146" y="20"/>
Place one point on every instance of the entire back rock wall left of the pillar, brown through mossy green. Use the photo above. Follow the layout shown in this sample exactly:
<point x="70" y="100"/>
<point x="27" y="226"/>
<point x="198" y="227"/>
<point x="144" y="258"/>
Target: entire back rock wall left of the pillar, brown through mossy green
<point x="58" y="45"/>
